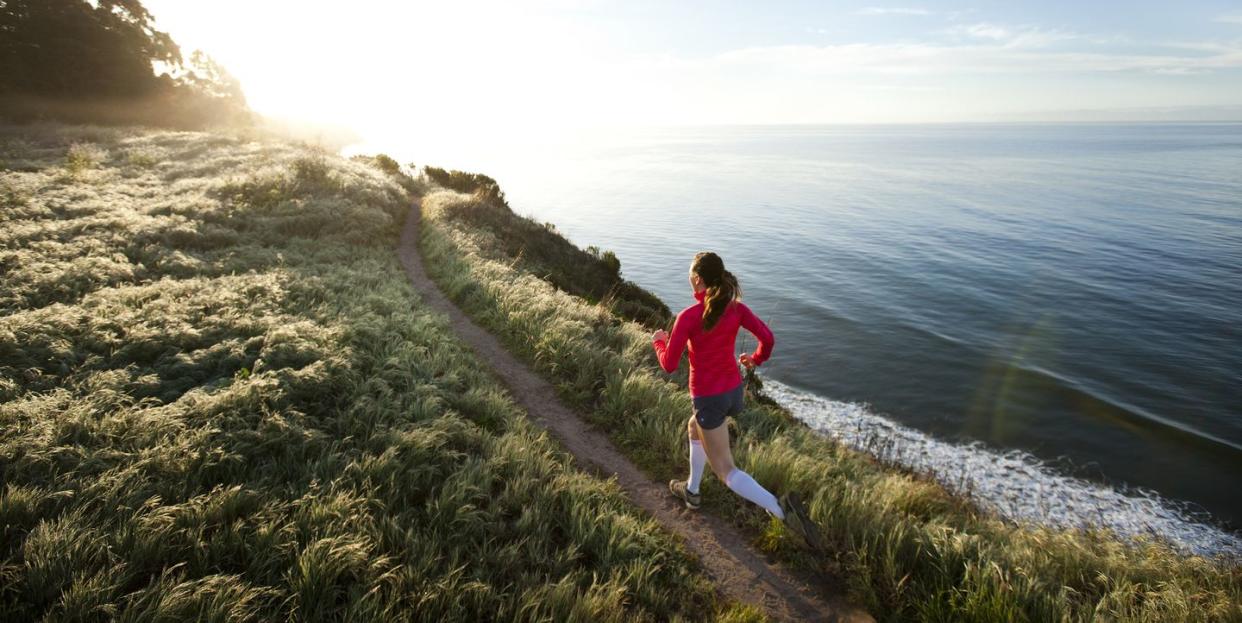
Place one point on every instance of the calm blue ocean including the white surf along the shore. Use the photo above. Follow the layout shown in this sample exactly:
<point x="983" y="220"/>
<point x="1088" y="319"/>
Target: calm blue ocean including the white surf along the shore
<point x="1053" y="311"/>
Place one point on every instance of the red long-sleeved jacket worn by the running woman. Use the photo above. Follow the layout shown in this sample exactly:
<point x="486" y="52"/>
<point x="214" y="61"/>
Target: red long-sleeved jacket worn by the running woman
<point x="714" y="365"/>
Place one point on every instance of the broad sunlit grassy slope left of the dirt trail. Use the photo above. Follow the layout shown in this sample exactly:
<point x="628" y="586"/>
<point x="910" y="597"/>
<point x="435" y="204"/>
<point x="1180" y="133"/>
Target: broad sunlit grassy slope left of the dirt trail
<point x="222" y="401"/>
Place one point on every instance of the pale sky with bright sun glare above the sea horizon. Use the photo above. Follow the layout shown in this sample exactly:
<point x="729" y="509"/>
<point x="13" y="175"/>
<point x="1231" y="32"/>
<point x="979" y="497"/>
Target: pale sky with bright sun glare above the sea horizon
<point x="548" y="64"/>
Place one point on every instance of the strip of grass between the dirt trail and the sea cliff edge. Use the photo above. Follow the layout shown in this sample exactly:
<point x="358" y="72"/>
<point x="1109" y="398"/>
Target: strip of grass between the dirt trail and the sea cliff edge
<point x="907" y="549"/>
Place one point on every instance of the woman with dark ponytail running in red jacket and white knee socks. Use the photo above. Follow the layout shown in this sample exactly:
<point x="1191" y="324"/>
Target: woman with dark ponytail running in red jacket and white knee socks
<point x="711" y="329"/>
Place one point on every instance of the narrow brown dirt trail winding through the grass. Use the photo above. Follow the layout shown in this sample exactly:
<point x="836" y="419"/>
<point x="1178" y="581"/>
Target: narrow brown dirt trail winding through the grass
<point x="738" y="571"/>
